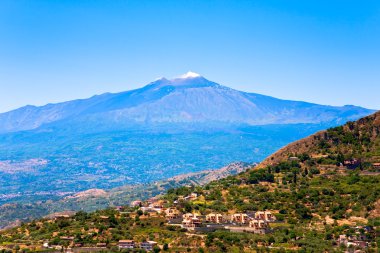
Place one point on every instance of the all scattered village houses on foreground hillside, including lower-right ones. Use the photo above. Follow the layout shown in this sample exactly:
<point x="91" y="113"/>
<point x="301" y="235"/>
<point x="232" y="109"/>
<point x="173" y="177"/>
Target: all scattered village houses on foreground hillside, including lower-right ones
<point x="195" y="223"/>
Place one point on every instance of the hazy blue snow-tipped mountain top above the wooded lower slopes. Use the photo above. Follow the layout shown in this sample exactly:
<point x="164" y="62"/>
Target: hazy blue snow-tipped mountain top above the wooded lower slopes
<point x="189" y="99"/>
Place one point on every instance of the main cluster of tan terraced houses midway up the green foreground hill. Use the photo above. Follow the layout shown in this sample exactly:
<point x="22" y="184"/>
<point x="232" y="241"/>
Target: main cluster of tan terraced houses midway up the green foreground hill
<point x="254" y="222"/>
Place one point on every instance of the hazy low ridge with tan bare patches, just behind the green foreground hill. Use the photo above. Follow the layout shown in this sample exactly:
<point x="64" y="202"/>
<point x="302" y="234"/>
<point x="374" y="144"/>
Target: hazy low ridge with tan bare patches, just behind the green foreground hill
<point x="94" y="199"/>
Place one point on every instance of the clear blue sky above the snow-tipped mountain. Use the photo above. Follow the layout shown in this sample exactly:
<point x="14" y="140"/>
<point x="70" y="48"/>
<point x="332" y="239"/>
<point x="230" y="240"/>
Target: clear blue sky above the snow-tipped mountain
<point x="324" y="51"/>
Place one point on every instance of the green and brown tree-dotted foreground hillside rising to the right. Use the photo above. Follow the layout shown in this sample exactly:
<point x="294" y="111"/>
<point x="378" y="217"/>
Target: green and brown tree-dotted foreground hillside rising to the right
<point x="319" y="205"/>
